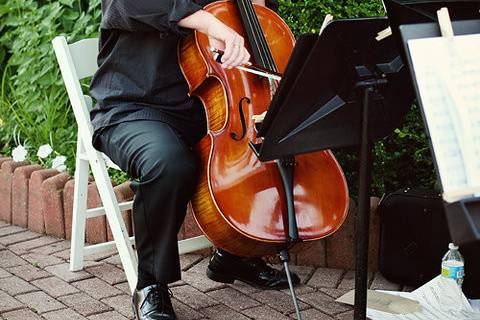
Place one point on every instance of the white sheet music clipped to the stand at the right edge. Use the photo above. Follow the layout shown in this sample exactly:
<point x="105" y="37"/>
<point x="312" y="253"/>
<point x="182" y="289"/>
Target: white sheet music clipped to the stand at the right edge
<point x="447" y="71"/>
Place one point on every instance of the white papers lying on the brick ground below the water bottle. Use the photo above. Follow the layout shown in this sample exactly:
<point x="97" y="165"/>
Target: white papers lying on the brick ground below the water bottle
<point x="441" y="299"/>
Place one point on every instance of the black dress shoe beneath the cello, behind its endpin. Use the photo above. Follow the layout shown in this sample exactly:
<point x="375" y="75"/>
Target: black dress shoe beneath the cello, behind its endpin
<point x="227" y="268"/>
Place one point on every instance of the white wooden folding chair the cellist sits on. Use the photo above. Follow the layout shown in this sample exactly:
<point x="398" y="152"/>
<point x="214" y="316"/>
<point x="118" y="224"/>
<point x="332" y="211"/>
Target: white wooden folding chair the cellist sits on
<point x="78" y="61"/>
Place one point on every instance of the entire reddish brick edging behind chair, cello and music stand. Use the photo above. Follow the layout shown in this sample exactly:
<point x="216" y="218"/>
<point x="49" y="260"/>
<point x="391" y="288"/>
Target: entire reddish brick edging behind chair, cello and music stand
<point x="43" y="200"/>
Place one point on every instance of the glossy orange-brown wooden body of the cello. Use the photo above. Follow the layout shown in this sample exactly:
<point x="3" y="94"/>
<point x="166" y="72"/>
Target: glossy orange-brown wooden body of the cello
<point x="240" y="201"/>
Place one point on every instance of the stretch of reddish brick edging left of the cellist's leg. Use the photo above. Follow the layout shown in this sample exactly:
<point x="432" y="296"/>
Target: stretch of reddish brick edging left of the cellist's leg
<point x="42" y="200"/>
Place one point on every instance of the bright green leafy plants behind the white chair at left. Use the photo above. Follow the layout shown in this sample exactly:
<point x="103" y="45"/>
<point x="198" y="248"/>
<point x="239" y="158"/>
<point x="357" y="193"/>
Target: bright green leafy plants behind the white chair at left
<point x="34" y="108"/>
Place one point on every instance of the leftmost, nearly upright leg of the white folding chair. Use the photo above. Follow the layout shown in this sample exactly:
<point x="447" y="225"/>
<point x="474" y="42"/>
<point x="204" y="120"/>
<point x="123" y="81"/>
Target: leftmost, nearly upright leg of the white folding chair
<point x="79" y="209"/>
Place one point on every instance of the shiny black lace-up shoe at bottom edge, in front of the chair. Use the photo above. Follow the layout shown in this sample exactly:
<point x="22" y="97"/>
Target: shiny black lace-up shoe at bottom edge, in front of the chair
<point x="153" y="303"/>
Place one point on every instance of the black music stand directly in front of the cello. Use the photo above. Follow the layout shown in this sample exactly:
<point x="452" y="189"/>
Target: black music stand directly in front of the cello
<point x="342" y="88"/>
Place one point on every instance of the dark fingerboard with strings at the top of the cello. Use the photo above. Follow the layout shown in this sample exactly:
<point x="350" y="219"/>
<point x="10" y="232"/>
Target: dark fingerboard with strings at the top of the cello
<point x="255" y="37"/>
